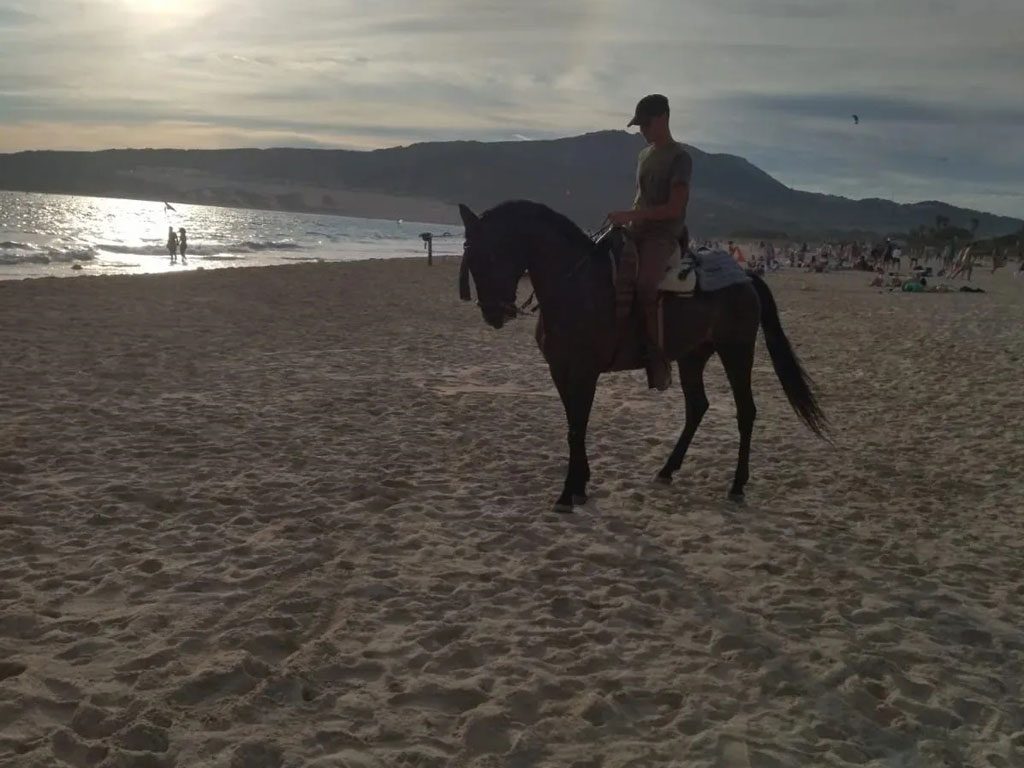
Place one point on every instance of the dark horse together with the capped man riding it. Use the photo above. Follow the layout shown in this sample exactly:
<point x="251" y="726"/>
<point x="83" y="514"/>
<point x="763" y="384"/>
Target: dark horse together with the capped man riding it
<point x="583" y="334"/>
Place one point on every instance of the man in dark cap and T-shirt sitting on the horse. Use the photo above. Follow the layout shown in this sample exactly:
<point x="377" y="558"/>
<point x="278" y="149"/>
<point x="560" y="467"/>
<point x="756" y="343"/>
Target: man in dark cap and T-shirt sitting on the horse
<point x="658" y="219"/>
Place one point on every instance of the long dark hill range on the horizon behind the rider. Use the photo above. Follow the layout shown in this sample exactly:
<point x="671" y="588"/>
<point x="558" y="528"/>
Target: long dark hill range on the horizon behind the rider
<point x="583" y="177"/>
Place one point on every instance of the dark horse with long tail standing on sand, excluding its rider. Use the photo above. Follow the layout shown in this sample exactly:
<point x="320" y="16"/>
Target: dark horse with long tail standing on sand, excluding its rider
<point x="581" y="338"/>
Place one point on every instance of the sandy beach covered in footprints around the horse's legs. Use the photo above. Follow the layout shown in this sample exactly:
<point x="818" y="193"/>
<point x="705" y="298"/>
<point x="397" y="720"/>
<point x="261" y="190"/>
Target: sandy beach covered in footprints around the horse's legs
<point x="302" y="517"/>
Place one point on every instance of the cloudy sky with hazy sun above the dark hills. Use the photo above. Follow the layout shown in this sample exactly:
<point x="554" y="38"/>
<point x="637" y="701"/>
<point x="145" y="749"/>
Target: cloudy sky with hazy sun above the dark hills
<point x="938" y="84"/>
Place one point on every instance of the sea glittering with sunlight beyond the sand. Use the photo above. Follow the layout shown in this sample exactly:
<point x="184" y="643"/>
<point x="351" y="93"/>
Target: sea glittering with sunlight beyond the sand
<point x="67" y="236"/>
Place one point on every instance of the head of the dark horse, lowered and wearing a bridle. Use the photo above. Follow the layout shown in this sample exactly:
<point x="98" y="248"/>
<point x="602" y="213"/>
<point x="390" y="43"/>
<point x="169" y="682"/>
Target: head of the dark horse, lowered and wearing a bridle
<point x="495" y="266"/>
